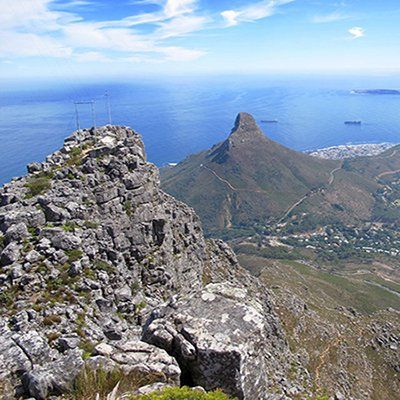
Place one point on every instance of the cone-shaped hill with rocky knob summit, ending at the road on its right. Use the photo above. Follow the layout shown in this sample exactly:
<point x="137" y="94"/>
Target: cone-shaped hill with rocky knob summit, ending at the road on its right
<point x="246" y="179"/>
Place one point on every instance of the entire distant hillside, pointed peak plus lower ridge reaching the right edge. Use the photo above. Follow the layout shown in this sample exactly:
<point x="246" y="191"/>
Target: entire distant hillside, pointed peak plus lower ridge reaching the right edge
<point x="249" y="180"/>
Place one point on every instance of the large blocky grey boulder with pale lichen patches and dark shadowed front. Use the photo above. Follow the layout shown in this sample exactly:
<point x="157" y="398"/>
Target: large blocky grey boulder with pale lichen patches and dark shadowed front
<point x="221" y="339"/>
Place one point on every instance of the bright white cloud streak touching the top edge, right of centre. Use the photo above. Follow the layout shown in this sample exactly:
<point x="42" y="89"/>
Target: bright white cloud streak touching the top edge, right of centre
<point x="253" y="12"/>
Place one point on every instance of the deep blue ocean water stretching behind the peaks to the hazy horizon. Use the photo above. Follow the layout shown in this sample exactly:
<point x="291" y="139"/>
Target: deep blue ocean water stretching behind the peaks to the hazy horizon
<point x="177" y="117"/>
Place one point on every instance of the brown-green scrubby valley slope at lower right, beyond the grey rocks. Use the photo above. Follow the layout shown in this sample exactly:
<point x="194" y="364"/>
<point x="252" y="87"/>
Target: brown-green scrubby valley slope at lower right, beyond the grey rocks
<point x="346" y="328"/>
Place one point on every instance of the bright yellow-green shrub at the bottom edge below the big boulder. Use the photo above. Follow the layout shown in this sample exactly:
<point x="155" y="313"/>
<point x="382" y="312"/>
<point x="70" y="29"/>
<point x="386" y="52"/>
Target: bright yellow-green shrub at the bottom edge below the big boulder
<point x="183" y="393"/>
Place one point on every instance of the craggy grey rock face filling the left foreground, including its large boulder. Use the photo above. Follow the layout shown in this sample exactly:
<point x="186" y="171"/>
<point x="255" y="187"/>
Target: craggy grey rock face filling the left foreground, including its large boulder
<point x="90" y="247"/>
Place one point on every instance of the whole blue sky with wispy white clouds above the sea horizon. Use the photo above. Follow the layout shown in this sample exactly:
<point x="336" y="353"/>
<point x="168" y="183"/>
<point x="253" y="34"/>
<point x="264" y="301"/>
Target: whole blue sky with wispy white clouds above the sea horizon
<point x="45" y="38"/>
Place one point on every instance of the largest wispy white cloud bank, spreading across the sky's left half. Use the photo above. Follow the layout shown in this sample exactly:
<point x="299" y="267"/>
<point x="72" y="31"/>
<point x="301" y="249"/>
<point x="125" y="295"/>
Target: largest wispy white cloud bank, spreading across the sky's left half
<point x="40" y="29"/>
